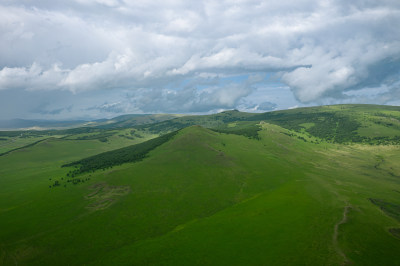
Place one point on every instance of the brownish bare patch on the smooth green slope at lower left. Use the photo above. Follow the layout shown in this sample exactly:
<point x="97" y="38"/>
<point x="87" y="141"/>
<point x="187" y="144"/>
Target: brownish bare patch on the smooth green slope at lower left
<point x="104" y="195"/>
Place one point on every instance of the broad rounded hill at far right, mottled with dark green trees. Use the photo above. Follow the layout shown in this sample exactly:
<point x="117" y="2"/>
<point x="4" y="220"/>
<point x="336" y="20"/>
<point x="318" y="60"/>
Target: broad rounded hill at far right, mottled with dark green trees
<point x="371" y="124"/>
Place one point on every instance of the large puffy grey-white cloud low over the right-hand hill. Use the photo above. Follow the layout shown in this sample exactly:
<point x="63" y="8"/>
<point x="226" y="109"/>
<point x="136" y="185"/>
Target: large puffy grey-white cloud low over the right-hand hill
<point x="355" y="64"/>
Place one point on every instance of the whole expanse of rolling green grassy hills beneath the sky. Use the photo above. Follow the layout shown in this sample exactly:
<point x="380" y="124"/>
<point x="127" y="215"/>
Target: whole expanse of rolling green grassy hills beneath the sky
<point x="257" y="189"/>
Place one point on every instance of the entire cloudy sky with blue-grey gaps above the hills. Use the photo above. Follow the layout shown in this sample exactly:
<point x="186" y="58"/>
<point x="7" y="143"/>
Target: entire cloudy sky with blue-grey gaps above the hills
<point x="89" y="59"/>
